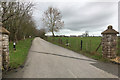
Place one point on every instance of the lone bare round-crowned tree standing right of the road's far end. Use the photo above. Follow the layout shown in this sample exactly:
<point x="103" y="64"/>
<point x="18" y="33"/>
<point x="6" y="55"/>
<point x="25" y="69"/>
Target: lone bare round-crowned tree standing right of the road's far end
<point x="52" y="20"/>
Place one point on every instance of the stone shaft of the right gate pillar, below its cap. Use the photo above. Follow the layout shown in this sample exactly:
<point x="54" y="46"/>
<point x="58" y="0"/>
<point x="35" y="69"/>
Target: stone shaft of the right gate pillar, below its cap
<point x="109" y="42"/>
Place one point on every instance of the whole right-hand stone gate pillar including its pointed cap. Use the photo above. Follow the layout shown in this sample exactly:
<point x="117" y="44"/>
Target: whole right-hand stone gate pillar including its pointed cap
<point x="109" y="42"/>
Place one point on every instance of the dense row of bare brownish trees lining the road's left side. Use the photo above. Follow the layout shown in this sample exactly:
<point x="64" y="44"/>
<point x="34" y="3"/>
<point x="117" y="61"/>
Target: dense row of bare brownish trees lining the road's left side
<point x="17" y="19"/>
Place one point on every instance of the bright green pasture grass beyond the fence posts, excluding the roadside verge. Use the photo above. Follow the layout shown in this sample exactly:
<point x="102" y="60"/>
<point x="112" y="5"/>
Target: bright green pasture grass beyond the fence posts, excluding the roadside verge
<point x="89" y="43"/>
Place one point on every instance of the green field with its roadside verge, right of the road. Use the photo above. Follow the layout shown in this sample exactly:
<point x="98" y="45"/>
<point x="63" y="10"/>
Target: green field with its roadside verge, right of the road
<point x="89" y="47"/>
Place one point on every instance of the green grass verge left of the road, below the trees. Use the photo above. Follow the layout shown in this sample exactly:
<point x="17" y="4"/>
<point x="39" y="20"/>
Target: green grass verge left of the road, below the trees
<point x="18" y="57"/>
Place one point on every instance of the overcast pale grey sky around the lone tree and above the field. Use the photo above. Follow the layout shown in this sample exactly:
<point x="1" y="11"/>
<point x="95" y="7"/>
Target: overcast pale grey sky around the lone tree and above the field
<point x="79" y="17"/>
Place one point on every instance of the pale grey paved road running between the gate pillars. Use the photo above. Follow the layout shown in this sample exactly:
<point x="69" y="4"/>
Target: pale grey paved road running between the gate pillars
<point x="46" y="60"/>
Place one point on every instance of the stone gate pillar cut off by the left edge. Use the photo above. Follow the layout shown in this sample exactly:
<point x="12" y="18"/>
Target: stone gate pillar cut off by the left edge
<point x="4" y="41"/>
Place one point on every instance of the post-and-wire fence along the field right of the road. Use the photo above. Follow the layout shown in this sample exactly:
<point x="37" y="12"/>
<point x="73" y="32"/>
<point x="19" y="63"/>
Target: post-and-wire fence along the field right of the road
<point x="86" y="44"/>
